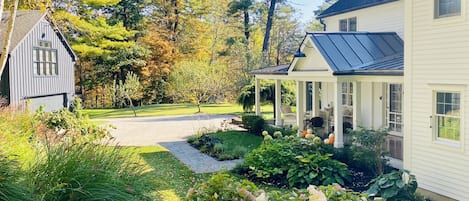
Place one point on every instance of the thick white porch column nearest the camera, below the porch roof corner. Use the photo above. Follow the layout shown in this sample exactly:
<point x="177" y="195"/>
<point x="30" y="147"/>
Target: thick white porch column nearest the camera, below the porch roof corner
<point x="338" y="115"/>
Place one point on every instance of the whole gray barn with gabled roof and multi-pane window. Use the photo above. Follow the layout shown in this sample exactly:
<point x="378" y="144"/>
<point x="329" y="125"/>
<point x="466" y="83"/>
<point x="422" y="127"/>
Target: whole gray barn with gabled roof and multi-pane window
<point x="40" y="65"/>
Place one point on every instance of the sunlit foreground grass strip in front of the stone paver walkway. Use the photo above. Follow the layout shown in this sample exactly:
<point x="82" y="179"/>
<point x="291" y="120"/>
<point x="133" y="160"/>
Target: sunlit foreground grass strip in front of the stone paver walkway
<point x="172" y="179"/>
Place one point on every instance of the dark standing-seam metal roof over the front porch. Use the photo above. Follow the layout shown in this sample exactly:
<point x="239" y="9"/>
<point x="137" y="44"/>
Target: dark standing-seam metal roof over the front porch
<point x="361" y="52"/>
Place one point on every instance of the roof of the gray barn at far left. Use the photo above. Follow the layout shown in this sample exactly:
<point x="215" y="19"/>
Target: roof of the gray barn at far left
<point x="25" y="21"/>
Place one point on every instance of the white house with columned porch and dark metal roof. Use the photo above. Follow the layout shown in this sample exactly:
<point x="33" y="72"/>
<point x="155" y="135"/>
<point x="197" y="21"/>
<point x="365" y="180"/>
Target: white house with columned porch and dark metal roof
<point x="370" y="53"/>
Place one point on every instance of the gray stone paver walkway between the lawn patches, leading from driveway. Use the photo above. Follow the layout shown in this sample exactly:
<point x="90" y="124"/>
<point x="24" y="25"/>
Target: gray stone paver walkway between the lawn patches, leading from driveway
<point x="196" y="161"/>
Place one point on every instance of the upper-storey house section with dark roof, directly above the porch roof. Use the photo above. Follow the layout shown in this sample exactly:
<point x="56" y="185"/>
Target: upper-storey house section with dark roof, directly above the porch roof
<point x="365" y="16"/>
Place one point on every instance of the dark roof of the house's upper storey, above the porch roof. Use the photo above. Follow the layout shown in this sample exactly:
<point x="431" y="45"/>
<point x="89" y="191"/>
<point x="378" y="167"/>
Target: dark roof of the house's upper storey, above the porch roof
<point x="343" y="6"/>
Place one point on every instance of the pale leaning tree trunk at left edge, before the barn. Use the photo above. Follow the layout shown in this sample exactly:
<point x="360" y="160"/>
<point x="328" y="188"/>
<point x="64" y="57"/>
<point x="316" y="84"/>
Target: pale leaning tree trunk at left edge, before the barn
<point x="9" y="31"/>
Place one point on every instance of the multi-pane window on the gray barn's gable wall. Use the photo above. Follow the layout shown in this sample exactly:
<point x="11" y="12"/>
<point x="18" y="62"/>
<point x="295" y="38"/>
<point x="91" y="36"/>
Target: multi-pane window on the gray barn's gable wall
<point x="45" y="59"/>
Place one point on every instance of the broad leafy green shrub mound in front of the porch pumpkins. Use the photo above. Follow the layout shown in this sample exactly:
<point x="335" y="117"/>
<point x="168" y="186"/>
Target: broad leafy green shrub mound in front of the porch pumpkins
<point x="292" y="161"/>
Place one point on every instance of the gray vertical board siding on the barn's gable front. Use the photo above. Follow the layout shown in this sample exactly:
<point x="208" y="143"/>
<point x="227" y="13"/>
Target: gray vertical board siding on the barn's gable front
<point x="23" y="83"/>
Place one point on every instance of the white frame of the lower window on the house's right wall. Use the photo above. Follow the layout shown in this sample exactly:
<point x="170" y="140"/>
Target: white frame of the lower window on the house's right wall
<point x="445" y="88"/>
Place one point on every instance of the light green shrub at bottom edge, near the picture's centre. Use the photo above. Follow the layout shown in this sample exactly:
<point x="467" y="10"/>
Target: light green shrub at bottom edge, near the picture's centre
<point x="222" y="186"/>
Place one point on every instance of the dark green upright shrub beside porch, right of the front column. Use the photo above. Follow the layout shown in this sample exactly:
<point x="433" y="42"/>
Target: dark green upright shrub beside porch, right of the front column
<point x="368" y="151"/>
